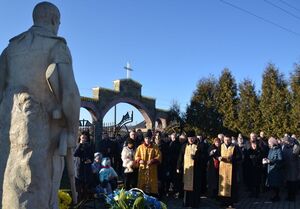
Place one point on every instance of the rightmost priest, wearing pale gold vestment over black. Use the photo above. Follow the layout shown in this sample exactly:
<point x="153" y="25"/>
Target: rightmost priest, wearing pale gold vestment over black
<point x="229" y="155"/>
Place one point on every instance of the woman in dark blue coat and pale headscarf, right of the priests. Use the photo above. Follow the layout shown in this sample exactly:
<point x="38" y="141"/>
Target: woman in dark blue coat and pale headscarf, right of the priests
<point x="275" y="171"/>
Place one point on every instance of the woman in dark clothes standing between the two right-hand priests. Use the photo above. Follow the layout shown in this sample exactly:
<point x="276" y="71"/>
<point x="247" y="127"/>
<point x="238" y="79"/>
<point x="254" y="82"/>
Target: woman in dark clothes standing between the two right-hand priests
<point x="213" y="168"/>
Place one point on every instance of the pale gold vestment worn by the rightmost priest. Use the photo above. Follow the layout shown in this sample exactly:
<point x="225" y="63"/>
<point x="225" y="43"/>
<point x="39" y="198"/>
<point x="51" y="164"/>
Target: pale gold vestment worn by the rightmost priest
<point x="225" y="171"/>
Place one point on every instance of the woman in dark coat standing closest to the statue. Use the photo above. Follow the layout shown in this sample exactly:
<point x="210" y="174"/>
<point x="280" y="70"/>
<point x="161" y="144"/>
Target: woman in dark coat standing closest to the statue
<point x="83" y="169"/>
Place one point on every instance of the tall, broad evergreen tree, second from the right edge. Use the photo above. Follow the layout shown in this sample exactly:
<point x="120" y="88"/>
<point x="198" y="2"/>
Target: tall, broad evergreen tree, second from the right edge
<point x="274" y="104"/>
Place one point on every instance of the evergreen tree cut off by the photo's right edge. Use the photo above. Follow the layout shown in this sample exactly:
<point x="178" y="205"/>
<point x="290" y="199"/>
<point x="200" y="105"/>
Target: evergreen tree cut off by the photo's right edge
<point x="295" y="101"/>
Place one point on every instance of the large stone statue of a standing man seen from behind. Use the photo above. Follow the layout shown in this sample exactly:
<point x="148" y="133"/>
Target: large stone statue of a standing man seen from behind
<point x="39" y="113"/>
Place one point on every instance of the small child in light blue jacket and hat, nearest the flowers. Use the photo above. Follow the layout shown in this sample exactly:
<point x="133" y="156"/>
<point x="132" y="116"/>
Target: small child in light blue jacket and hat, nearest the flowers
<point x="107" y="176"/>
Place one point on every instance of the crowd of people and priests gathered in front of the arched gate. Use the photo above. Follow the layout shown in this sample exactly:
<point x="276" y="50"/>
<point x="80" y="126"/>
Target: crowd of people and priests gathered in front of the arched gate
<point x="188" y="166"/>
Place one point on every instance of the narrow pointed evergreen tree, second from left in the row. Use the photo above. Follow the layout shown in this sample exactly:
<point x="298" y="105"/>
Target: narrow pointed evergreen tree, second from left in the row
<point x="226" y="98"/>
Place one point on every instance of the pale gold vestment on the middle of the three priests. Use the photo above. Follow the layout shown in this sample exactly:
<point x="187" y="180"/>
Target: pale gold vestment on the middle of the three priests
<point x="188" y="167"/>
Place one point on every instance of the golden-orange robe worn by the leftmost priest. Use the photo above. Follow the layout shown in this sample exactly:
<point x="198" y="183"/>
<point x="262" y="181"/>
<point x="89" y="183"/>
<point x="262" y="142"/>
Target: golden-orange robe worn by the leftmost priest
<point x="147" y="178"/>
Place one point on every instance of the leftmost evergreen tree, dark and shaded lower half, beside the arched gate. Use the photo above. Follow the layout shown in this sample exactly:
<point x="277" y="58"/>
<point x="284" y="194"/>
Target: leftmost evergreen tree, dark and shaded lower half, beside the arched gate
<point x="201" y="113"/>
